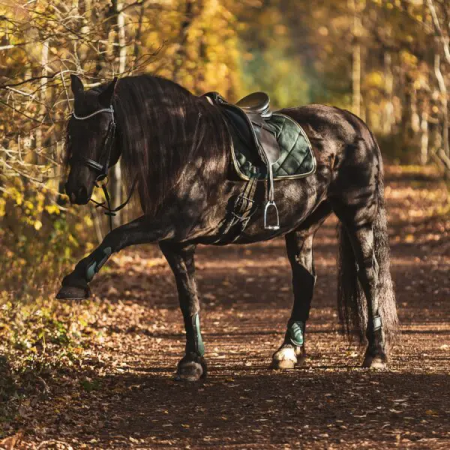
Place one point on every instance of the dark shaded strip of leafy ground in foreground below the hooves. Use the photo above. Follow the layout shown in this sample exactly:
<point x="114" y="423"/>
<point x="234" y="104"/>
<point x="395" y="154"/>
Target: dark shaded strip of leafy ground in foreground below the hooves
<point x="256" y="408"/>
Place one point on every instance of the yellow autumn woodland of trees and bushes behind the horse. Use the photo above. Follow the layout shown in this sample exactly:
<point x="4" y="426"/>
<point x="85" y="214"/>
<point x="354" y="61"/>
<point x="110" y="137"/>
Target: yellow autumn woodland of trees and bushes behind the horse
<point x="387" y="61"/>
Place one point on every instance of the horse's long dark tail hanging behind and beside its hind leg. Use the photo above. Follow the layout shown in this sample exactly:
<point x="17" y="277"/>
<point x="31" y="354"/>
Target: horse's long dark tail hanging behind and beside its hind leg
<point x="352" y="302"/>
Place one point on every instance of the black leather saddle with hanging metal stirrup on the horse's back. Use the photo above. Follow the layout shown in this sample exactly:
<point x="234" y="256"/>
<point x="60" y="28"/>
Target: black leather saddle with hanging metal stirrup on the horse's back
<point x="248" y="119"/>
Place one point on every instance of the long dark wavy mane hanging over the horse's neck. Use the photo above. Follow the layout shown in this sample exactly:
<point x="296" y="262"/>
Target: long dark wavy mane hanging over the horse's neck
<point x="163" y="128"/>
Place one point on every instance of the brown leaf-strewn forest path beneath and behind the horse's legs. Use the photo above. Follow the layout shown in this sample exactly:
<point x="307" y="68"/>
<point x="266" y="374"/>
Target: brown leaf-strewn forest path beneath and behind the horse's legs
<point x="120" y="391"/>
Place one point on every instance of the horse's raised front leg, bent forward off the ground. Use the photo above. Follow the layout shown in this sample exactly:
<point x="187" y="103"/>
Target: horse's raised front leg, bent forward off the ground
<point x="140" y="231"/>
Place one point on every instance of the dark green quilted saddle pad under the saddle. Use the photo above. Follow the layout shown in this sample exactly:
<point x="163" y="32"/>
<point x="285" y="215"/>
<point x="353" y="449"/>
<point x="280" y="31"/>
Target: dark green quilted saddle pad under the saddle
<point x="296" y="158"/>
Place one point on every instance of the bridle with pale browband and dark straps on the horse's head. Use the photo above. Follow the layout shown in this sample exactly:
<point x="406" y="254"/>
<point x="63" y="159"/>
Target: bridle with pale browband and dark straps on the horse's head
<point x="101" y="168"/>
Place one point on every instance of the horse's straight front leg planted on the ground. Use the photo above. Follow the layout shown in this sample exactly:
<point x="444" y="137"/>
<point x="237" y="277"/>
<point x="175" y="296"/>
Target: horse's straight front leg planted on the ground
<point x="192" y="366"/>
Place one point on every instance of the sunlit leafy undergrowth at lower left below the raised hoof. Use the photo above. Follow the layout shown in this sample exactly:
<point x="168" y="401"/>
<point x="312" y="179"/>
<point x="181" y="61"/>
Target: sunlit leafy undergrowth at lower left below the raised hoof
<point x="41" y="342"/>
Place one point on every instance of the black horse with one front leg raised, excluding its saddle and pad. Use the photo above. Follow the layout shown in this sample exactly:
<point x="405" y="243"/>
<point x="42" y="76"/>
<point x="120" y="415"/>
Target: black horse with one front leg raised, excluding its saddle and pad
<point x="176" y="147"/>
